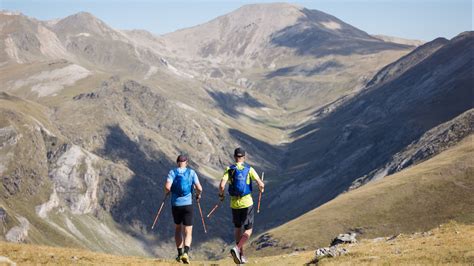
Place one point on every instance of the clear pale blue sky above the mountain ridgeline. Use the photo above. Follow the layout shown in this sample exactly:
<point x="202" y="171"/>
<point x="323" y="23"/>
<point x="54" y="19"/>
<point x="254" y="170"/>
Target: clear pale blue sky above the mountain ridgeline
<point x="414" y="19"/>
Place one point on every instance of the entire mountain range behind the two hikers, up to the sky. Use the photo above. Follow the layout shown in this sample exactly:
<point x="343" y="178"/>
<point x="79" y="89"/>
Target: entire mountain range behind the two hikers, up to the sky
<point x="92" y="118"/>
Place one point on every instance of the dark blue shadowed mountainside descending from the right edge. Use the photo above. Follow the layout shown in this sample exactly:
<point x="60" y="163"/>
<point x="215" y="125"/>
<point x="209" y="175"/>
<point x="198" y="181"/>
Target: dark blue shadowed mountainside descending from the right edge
<point x="360" y="136"/>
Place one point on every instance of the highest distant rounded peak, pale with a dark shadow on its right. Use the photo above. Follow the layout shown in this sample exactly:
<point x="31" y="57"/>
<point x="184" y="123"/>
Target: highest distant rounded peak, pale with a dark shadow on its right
<point x="257" y="31"/>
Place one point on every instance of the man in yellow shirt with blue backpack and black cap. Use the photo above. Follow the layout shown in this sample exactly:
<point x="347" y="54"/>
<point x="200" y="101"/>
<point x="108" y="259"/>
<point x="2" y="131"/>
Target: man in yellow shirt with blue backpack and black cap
<point x="240" y="176"/>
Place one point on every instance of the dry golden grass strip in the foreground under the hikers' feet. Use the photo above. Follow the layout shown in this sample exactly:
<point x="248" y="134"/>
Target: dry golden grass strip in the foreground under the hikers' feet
<point x="455" y="239"/>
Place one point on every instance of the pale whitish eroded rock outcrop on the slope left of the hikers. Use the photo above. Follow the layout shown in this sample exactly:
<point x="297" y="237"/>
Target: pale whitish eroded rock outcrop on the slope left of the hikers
<point x="82" y="182"/>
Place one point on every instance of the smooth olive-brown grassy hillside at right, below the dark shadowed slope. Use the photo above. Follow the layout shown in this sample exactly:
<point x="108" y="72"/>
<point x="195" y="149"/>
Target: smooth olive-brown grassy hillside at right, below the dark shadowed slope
<point x="418" y="198"/>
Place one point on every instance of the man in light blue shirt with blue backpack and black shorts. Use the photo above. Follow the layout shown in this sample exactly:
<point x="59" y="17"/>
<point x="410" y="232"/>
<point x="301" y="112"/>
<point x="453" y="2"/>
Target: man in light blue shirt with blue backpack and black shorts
<point x="181" y="182"/>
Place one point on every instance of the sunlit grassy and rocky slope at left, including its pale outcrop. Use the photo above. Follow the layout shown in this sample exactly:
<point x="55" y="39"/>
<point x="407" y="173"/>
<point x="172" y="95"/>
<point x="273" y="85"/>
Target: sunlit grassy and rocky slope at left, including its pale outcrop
<point x="52" y="189"/>
